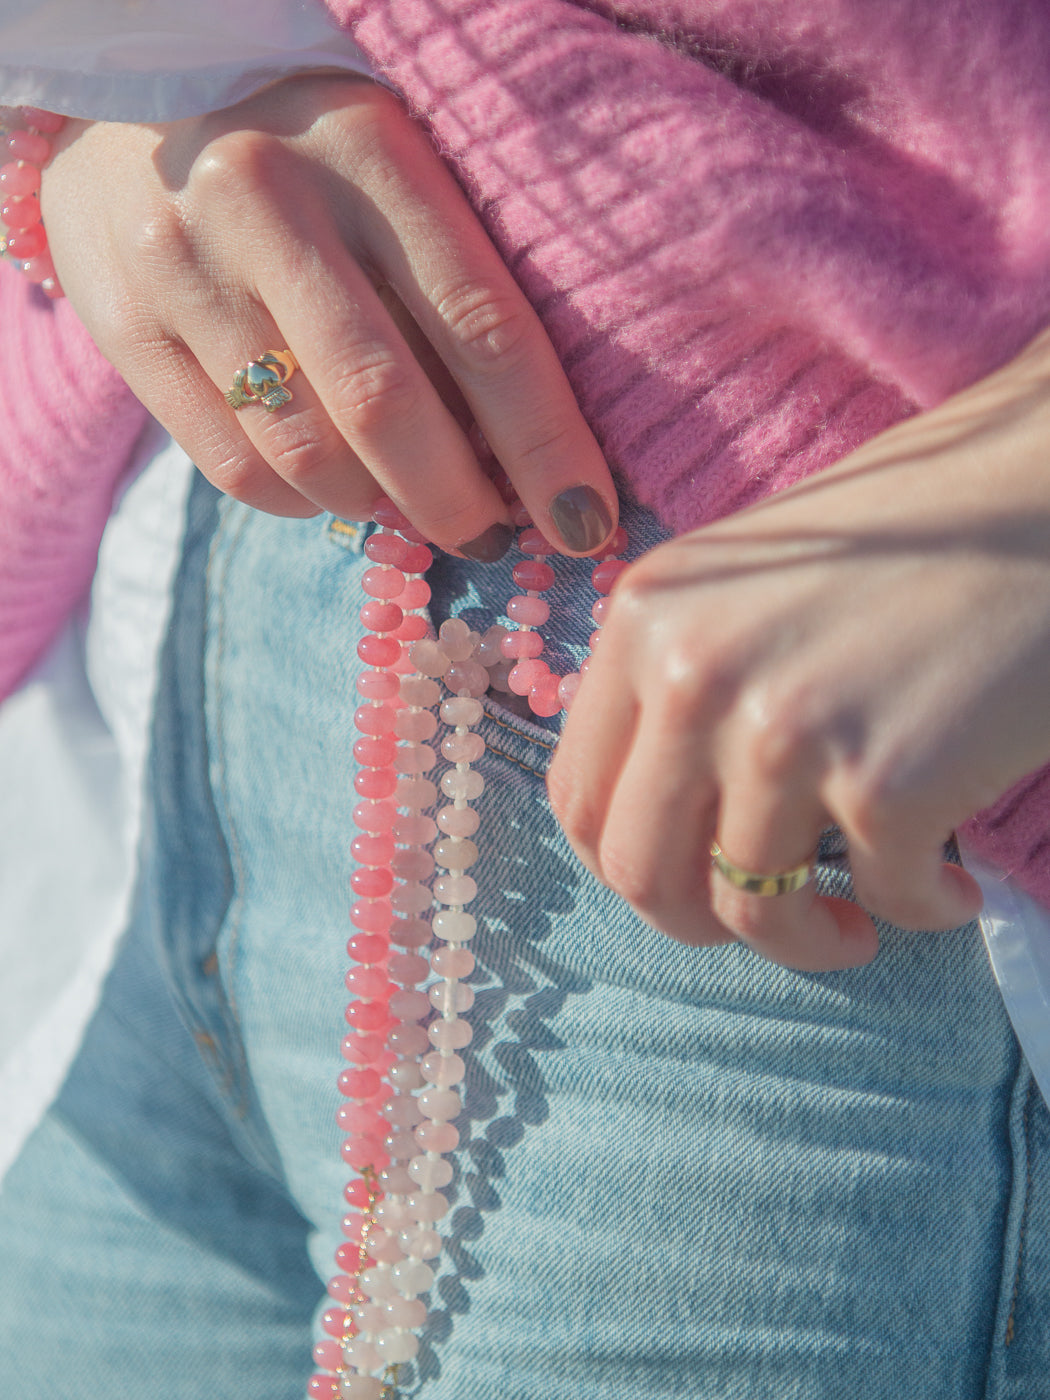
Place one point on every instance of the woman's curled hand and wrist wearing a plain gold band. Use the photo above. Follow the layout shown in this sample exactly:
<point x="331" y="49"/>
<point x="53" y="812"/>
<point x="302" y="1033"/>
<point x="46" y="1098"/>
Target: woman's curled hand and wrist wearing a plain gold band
<point x="870" y="649"/>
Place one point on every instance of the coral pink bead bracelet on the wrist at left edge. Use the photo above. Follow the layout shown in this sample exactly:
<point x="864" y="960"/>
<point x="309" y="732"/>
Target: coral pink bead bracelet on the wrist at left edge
<point x="29" y="149"/>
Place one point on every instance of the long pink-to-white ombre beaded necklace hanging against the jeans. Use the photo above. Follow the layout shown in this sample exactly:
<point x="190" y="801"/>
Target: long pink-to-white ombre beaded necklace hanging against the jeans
<point x="412" y="884"/>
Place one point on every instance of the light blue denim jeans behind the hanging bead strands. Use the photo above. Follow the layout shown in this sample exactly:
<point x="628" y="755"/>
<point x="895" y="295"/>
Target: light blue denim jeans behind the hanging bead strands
<point x="684" y="1174"/>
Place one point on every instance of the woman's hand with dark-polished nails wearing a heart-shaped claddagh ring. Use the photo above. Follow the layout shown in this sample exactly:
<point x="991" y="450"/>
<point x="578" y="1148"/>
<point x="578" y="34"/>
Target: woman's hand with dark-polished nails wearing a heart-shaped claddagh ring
<point x="317" y="218"/>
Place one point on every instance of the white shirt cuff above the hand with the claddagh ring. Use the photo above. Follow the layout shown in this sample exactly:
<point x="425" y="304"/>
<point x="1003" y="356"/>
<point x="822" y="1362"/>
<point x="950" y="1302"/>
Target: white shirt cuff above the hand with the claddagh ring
<point x="152" y="61"/>
